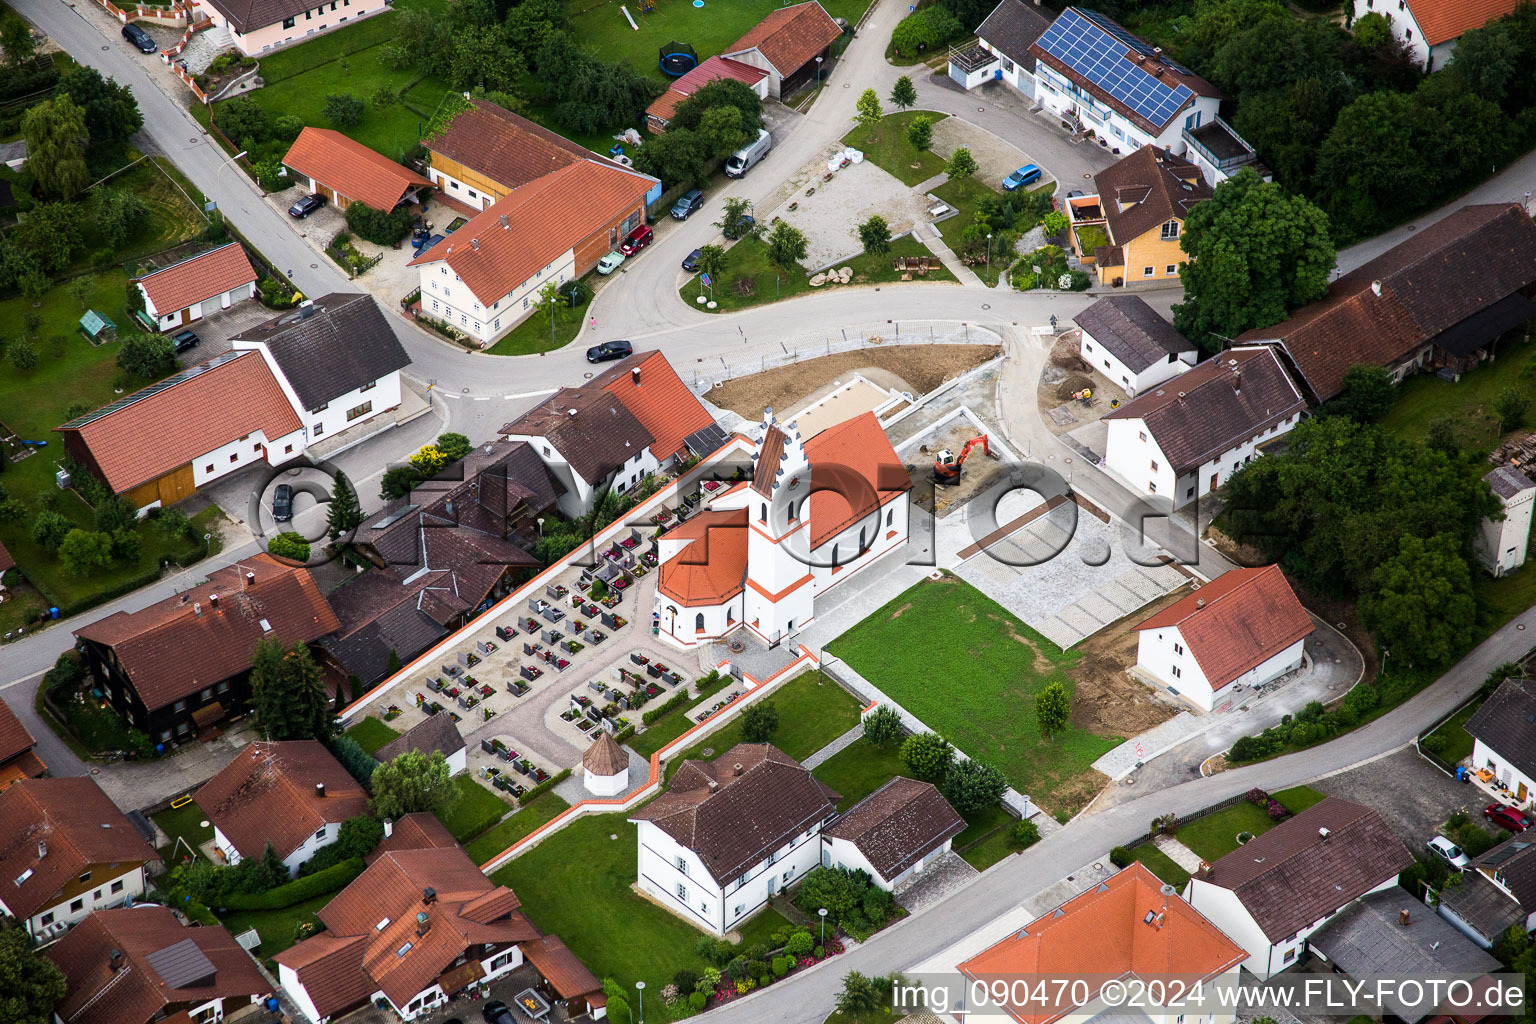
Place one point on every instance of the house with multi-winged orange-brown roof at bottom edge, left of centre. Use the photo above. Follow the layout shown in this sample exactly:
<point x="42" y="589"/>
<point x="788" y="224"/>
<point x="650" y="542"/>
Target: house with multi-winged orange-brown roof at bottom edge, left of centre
<point x="414" y="930"/>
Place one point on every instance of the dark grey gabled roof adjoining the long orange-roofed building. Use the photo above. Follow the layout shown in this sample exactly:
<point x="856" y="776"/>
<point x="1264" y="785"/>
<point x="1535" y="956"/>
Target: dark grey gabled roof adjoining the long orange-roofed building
<point x="331" y="346"/>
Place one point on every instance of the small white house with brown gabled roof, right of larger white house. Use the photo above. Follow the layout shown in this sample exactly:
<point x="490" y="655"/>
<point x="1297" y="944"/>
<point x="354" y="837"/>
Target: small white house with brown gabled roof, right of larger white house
<point x="893" y="834"/>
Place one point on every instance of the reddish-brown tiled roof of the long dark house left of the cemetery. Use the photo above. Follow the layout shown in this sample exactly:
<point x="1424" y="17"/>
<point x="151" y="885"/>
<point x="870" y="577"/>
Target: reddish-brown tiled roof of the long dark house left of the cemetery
<point x="187" y="644"/>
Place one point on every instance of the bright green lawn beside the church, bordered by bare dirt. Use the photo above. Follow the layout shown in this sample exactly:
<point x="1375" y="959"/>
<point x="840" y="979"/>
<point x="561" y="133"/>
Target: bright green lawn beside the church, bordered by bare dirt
<point x="970" y="670"/>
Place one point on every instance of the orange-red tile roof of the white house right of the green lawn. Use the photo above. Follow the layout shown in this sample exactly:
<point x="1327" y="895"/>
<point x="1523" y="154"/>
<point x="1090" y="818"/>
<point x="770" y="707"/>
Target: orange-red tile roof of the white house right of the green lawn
<point x="1237" y="621"/>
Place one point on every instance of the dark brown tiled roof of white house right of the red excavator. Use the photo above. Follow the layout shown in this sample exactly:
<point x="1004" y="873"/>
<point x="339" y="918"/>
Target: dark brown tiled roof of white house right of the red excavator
<point x="1220" y="403"/>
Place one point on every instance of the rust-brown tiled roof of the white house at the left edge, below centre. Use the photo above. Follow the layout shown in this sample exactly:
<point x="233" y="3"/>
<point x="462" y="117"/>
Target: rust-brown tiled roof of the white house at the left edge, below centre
<point x="74" y="824"/>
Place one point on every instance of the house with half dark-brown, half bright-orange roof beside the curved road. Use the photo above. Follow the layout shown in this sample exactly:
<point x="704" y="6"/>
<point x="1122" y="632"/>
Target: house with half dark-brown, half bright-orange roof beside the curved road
<point x="611" y="434"/>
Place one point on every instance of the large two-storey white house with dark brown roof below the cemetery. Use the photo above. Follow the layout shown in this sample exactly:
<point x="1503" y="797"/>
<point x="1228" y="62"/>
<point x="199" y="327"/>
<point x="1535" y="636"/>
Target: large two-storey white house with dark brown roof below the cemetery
<point x="732" y="833"/>
